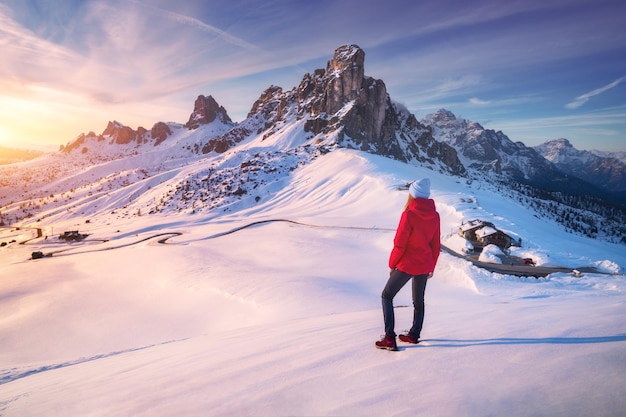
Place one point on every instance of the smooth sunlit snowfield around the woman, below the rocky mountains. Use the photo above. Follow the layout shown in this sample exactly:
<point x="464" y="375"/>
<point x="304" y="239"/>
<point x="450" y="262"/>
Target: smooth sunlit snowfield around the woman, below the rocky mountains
<point x="280" y="318"/>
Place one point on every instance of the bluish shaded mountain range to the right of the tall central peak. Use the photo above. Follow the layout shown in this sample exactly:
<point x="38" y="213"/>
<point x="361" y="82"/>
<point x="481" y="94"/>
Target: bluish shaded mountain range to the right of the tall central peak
<point x="555" y="165"/>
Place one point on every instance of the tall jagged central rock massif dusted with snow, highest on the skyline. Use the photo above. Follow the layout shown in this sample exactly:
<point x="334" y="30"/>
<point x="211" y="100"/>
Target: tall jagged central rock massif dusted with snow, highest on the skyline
<point x="341" y="101"/>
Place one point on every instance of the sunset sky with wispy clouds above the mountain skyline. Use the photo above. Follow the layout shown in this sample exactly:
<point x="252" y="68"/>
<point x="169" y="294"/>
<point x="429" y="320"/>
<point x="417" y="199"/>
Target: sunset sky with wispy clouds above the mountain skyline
<point x="537" y="70"/>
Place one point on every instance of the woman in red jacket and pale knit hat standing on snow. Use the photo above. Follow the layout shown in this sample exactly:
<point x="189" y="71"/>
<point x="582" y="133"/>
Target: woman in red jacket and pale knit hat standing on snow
<point x="414" y="256"/>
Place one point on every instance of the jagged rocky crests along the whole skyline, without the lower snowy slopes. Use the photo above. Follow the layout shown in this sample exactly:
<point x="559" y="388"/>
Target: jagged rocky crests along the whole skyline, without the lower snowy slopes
<point x="342" y="103"/>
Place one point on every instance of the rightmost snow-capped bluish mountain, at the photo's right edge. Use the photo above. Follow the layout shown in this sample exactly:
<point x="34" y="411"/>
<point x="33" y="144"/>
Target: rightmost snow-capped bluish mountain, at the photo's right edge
<point x="606" y="172"/>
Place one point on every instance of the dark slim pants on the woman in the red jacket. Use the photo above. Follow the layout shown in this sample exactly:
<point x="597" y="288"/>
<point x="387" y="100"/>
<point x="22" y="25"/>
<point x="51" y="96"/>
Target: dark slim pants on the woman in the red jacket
<point x="397" y="280"/>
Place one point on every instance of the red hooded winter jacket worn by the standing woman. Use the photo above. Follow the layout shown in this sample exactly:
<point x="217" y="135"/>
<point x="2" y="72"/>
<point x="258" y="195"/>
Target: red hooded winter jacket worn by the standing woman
<point x="417" y="242"/>
